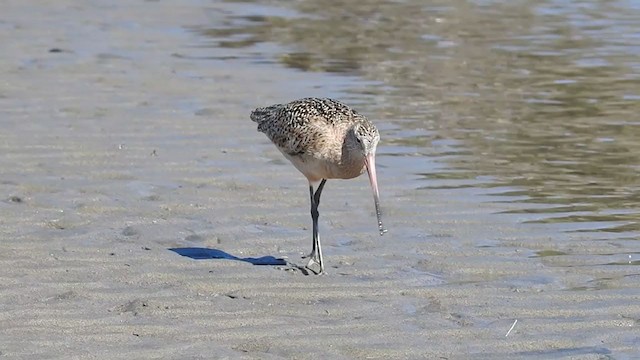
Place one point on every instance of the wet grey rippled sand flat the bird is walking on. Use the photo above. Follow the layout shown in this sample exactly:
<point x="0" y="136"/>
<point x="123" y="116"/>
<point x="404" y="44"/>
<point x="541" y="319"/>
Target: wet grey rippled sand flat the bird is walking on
<point x="125" y="136"/>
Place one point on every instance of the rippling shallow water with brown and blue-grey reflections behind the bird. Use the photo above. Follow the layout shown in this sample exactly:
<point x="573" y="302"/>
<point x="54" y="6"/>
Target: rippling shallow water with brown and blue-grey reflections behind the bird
<point x="530" y="104"/>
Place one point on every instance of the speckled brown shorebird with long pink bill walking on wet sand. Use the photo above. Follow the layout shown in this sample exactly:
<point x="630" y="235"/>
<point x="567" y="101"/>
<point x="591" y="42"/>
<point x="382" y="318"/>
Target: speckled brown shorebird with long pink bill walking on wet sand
<point x="324" y="139"/>
